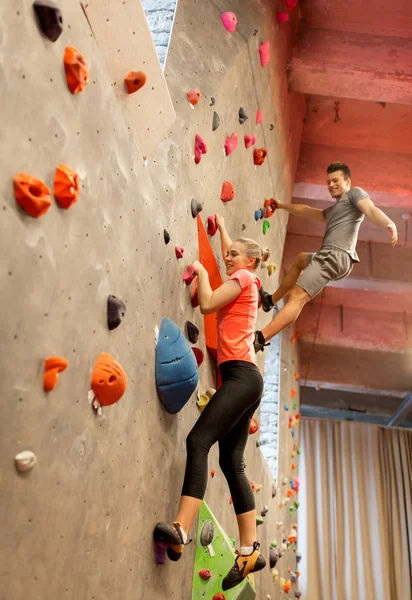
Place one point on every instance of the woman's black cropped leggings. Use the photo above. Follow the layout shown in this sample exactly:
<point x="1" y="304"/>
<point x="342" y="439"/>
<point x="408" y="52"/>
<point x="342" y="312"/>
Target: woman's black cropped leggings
<point x="225" y="419"/>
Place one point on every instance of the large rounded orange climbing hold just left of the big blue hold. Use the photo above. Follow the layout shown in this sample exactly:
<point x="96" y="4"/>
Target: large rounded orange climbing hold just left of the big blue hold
<point x="109" y="380"/>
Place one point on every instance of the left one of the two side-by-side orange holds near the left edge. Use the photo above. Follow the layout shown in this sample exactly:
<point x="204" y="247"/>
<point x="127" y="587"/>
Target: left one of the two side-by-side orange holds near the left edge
<point x="32" y="195"/>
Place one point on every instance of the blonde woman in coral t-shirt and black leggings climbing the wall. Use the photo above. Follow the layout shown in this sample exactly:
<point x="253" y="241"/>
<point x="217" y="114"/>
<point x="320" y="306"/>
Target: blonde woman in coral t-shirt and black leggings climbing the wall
<point x="226" y="418"/>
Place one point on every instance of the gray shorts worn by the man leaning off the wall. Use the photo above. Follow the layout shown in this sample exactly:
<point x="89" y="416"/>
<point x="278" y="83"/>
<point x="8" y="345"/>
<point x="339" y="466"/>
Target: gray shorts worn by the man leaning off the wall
<point x="329" y="264"/>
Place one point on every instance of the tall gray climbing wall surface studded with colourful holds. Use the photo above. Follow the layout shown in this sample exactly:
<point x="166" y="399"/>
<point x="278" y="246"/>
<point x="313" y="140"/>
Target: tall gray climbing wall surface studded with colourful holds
<point x="79" y="523"/>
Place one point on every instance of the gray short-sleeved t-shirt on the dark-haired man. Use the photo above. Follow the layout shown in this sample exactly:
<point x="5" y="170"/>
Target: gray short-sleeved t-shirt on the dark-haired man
<point x="343" y="221"/>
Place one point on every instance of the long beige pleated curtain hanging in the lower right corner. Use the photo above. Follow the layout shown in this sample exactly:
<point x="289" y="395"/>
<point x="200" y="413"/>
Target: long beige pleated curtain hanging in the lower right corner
<point x="355" y="516"/>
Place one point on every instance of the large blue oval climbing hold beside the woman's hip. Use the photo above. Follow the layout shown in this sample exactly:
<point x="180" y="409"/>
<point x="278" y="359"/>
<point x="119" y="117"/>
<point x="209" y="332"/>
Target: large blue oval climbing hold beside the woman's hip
<point x="176" y="367"/>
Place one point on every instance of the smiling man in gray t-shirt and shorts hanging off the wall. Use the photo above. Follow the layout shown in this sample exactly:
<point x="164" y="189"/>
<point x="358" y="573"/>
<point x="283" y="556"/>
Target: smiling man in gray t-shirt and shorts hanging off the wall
<point x="311" y="272"/>
